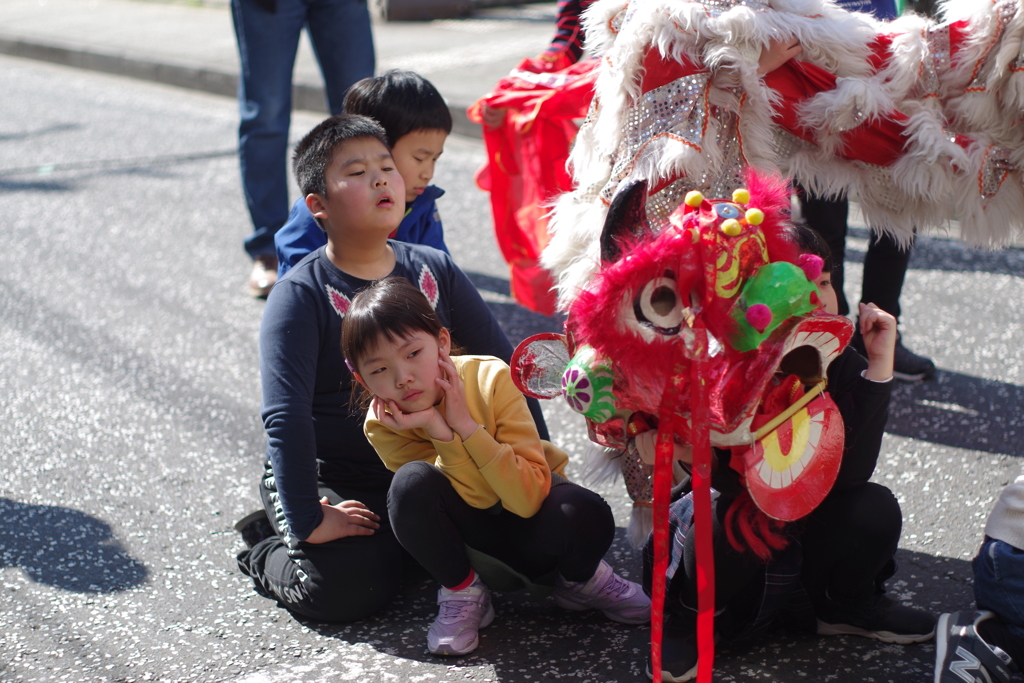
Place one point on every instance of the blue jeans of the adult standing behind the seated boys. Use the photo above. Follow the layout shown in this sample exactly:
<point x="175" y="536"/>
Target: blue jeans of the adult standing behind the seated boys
<point x="268" y="42"/>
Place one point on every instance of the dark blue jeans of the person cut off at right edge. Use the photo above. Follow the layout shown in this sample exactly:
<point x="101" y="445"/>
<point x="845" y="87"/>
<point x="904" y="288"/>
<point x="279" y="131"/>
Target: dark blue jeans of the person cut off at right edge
<point x="999" y="583"/>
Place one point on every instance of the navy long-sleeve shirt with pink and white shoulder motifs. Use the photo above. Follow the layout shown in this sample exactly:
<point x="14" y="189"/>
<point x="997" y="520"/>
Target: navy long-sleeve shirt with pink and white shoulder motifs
<point x="313" y="435"/>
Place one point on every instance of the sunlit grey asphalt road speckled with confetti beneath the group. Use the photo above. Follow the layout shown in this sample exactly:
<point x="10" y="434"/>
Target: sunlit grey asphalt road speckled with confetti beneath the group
<point x="131" y="438"/>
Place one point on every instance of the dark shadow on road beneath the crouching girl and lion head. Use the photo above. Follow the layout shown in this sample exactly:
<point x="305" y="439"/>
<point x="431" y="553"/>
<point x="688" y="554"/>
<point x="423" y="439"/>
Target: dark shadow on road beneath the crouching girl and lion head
<point x="534" y="641"/>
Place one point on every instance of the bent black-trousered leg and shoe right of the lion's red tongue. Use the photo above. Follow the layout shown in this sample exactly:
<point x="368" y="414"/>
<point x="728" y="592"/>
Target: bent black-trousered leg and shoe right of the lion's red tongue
<point x="848" y="544"/>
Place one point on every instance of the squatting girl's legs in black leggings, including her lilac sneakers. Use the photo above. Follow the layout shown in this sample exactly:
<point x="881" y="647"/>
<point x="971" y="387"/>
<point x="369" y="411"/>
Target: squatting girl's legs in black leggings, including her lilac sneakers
<point x="570" y="534"/>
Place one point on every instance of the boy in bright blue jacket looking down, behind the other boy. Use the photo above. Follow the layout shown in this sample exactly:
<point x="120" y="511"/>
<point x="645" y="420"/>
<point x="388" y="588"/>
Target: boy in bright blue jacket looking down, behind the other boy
<point x="417" y="122"/>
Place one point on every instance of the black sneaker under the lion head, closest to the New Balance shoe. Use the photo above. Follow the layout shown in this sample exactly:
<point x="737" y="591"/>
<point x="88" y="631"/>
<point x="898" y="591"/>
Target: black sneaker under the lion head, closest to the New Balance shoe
<point x="879" y="618"/>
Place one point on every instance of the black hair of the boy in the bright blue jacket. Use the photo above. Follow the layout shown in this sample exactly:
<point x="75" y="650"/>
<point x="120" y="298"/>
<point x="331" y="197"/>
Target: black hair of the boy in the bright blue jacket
<point x="403" y="102"/>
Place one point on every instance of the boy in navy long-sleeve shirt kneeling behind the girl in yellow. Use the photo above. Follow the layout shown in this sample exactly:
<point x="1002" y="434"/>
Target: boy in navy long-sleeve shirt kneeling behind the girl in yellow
<point x="323" y="545"/>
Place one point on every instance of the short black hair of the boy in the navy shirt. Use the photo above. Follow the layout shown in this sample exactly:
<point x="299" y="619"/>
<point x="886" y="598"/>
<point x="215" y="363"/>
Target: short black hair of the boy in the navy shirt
<point x="315" y="152"/>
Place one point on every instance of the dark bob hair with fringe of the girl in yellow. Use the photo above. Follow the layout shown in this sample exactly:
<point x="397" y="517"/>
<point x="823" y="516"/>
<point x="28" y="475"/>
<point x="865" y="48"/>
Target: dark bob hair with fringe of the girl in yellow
<point x="391" y="310"/>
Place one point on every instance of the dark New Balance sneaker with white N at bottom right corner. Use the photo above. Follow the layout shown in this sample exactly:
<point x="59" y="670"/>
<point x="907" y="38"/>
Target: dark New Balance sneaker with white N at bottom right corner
<point x="962" y="655"/>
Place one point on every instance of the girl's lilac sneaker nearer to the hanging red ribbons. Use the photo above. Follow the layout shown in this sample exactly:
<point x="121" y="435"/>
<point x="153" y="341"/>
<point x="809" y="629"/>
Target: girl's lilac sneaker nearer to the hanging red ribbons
<point x="619" y="600"/>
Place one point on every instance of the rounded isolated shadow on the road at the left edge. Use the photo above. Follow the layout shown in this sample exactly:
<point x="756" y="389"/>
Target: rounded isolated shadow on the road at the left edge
<point x="66" y="549"/>
